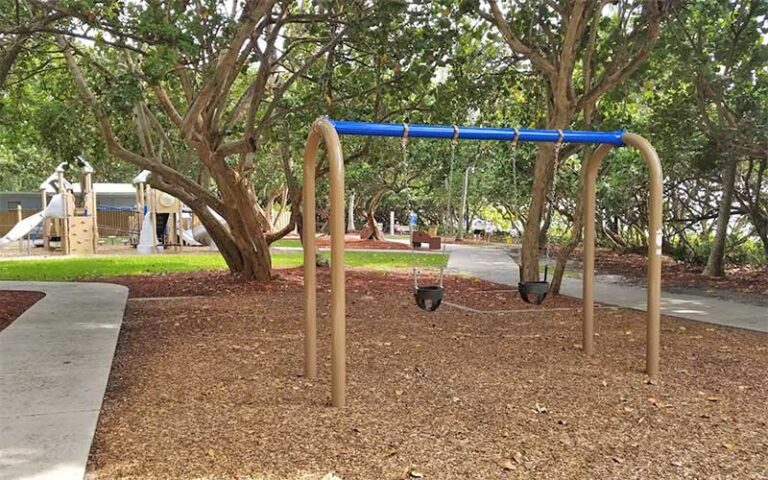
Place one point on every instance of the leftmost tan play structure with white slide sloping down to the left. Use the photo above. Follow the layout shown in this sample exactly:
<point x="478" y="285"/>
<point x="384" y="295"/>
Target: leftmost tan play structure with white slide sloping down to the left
<point x="66" y="219"/>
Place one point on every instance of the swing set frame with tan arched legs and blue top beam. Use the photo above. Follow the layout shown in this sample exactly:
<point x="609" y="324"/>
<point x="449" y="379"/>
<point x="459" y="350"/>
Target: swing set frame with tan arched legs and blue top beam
<point x="328" y="131"/>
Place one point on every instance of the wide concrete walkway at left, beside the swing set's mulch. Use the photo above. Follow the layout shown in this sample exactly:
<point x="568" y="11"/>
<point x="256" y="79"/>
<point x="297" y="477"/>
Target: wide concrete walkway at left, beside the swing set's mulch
<point x="54" y="365"/>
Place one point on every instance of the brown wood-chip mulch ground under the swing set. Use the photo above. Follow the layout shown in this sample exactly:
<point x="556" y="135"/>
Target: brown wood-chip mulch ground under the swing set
<point x="210" y="388"/>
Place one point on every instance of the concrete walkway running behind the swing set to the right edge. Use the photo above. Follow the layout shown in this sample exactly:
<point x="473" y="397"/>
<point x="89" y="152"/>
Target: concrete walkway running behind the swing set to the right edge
<point x="495" y="265"/>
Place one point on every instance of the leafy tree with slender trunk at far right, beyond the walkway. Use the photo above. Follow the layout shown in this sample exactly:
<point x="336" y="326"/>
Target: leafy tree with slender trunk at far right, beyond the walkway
<point x="726" y="56"/>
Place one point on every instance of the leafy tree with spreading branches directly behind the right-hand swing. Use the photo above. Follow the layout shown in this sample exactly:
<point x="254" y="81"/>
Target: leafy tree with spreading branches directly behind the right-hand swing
<point x="581" y="50"/>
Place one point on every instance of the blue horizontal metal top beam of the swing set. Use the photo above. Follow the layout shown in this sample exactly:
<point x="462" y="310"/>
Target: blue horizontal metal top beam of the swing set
<point x="344" y="127"/>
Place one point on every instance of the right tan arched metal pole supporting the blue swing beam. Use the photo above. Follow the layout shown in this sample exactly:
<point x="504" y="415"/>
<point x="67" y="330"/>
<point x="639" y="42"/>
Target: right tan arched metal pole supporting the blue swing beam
<point x="655" y="186"/>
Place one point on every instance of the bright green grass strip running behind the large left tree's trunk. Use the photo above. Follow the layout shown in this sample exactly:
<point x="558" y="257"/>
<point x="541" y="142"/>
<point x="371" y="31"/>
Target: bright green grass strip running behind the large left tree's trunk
<point x="76" y="268"/>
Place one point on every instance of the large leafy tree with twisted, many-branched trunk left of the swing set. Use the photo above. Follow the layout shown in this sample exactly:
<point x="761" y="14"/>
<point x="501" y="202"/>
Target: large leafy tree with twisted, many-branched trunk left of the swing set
<point x="203" y="83"/>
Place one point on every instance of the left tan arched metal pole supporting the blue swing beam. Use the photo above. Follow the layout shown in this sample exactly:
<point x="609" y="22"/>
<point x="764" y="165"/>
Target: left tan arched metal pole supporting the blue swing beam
<point x="323" y="130"/>
